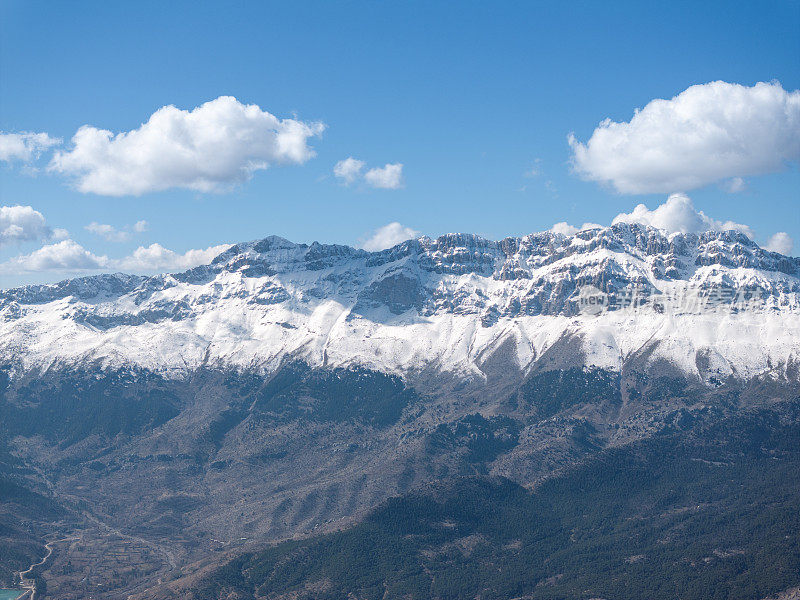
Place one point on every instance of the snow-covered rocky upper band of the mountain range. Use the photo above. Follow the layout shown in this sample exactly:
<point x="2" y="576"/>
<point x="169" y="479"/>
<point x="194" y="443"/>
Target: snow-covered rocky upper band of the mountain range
<point x="713" y="306"/>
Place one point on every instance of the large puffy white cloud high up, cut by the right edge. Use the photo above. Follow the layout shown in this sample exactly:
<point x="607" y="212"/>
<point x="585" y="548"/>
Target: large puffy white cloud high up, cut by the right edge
<point x="708" y="133"/>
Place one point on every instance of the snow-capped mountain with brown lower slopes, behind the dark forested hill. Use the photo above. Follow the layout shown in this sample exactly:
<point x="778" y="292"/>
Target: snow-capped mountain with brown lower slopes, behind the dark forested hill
<point x="287" y="389"/>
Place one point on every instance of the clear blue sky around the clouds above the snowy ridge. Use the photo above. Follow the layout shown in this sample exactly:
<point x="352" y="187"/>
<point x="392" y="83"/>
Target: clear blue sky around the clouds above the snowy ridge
<point x="475" y="100"/>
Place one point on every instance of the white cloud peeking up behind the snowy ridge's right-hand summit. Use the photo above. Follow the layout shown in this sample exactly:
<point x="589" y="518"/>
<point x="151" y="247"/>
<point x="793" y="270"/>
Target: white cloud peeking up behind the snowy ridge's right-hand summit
<point x="678" y="215"/>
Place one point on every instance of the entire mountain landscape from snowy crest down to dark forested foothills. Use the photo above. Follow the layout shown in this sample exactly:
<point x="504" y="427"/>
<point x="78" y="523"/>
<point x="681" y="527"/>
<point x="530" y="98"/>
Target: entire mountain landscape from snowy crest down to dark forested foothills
<point x="450" y="418"/>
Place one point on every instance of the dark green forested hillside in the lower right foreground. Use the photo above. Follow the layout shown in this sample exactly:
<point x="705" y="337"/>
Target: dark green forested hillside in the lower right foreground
<point x="705" y="514"/>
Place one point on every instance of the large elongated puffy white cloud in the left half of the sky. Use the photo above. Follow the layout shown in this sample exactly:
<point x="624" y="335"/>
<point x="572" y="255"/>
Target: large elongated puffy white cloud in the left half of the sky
<point x="208" y="149"/>
